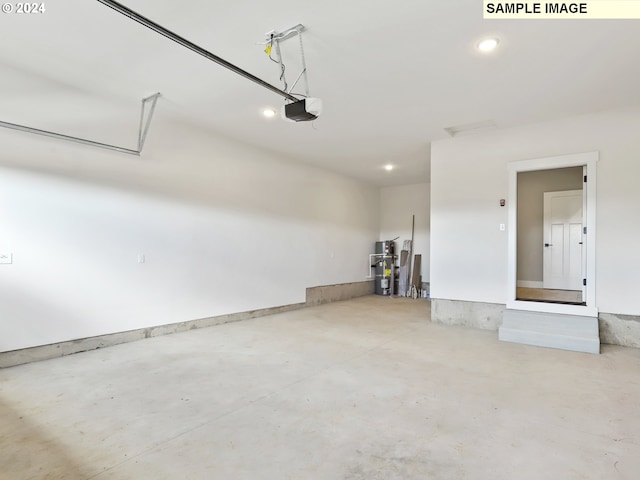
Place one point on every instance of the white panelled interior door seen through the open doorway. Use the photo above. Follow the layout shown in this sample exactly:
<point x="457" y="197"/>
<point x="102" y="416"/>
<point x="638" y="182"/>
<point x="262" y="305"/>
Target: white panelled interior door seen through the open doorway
<point x="563" y="240"/>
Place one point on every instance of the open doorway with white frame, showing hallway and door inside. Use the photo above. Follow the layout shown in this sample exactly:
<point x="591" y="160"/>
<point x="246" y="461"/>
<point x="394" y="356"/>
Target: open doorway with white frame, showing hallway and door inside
<point x="552" y="234"/>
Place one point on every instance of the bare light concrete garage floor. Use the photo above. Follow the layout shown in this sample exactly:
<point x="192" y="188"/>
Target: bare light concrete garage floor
<point x="363" y="389"/>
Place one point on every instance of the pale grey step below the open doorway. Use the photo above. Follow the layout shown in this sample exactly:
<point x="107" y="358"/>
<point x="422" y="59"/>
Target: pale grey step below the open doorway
<point x="566" y="332"/>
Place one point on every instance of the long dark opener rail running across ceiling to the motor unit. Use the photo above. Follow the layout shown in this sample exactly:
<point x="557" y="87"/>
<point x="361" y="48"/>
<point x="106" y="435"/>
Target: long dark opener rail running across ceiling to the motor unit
<point x="193" y="47"/>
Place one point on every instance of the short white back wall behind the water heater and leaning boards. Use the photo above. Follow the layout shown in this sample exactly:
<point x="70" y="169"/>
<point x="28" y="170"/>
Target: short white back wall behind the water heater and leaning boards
<point x="397" y="206"/>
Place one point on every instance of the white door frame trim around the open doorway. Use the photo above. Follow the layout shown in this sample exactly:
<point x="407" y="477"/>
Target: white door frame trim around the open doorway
<point x="589" y="161"/>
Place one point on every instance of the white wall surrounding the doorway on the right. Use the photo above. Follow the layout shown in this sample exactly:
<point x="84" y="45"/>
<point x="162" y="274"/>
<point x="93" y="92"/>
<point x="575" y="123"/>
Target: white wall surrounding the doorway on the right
<point x="469" y="176"/>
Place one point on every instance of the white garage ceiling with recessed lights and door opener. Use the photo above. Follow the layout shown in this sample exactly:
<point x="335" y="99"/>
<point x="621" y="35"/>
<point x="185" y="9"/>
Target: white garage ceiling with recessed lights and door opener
<point x="392" y="75"/>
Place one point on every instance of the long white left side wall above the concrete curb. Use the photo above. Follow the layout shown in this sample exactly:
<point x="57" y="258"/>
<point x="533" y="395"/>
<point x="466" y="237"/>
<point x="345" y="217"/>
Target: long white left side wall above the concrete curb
<point x="224" y="228"/>
